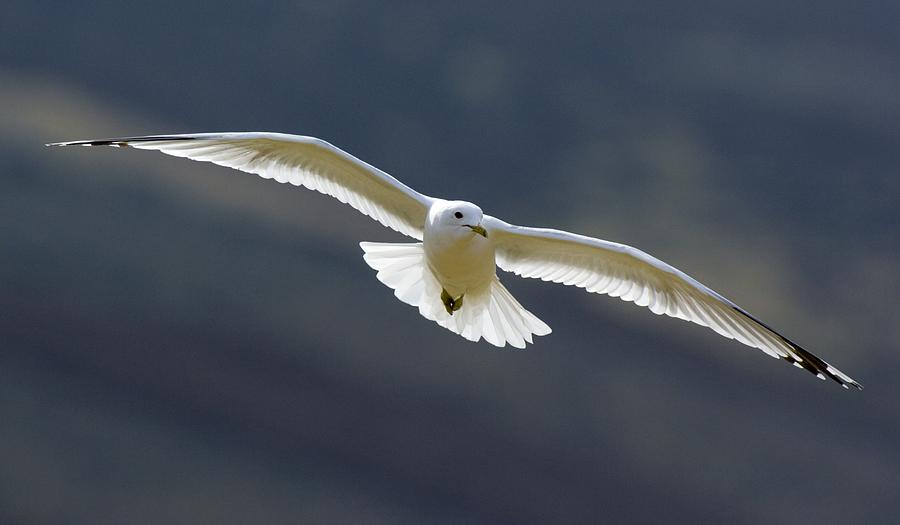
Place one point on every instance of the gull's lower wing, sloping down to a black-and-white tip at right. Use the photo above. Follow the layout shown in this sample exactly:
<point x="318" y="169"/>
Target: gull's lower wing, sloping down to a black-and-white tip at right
<point x="627" y="273"/>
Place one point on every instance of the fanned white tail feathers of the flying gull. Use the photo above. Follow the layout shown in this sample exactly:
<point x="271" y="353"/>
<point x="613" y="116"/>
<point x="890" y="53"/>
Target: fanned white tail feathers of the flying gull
<point x="491" y="313"/>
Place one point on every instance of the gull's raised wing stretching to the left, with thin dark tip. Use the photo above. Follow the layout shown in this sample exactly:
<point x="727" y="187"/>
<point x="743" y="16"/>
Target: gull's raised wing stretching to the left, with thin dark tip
<point x="301" y="161"/>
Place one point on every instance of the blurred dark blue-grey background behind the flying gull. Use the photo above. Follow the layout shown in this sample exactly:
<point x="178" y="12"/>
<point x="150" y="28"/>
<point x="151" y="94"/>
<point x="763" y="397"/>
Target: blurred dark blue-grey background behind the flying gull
<point x="182" y="343"/>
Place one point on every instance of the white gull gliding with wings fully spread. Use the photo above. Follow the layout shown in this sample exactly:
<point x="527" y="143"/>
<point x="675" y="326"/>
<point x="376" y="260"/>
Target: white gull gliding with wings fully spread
<point x="451" y="274"/>
